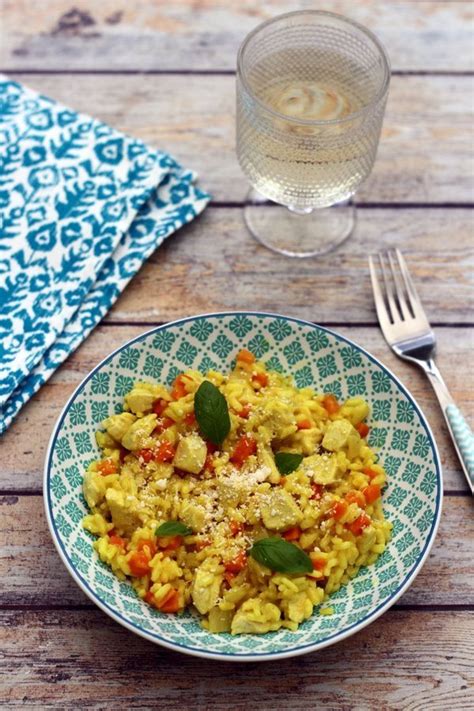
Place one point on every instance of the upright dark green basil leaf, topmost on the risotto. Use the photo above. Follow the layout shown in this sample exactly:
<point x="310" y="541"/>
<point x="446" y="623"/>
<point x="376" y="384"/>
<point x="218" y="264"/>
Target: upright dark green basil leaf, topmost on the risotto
<point x="212" y="413"/>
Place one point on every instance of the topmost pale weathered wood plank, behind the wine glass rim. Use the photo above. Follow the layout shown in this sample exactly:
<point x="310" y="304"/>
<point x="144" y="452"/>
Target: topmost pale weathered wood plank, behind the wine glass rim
<point x="205" y="34"/>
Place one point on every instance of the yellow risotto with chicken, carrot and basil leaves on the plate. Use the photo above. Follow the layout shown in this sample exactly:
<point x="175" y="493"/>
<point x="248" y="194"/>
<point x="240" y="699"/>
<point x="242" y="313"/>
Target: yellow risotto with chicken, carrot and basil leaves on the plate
<point x="237" y="495"/>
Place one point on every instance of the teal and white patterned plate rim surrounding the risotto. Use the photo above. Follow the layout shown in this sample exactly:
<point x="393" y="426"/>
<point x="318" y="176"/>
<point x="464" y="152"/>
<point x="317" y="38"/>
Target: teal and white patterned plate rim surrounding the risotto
<point x="412" y="500"/>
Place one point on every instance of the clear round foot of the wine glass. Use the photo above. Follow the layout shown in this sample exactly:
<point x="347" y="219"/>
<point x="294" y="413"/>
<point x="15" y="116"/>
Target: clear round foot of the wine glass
<point x="298" y="234"/>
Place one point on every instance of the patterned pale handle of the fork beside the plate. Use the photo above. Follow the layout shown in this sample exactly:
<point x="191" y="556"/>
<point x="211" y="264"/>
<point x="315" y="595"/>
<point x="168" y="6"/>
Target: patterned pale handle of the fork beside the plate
<point x="459" y="429"/>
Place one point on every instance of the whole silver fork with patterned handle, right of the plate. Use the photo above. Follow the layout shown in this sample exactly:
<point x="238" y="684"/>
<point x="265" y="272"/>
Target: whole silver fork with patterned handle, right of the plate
<point x="408" y="332"/>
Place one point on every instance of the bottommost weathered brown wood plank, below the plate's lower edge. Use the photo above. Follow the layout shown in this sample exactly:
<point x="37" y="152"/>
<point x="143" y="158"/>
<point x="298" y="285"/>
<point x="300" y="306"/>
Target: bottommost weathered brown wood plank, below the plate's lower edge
<point x="77" y="659"/>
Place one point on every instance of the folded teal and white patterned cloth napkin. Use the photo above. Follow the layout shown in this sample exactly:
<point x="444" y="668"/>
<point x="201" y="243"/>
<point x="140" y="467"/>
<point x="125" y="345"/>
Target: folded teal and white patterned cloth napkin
<point x="82" y="206"/>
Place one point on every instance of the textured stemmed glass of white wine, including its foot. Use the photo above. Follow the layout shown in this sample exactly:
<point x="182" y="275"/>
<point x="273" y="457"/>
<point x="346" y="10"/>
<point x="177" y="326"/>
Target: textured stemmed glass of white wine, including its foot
<point x="311" y="93"/>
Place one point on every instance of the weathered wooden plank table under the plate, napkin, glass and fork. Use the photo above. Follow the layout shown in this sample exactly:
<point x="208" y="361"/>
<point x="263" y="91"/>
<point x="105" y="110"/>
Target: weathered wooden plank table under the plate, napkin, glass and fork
<point x="164" y="71"/>
